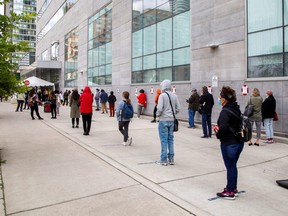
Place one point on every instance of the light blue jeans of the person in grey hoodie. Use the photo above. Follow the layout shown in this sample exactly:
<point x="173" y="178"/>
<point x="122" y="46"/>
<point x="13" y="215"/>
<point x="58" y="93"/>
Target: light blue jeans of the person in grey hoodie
<point x="166" y="135"/>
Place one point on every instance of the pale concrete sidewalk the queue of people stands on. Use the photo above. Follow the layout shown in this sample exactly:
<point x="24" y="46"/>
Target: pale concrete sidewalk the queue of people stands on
<point x="52" y="169"/>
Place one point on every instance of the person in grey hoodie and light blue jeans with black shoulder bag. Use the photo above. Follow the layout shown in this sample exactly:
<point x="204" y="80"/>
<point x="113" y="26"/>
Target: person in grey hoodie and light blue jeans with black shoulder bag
<point x="165" y="111"/>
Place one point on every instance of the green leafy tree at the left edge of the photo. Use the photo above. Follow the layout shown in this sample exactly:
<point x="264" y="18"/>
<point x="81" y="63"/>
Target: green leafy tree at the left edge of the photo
<point x="8" y="81"/>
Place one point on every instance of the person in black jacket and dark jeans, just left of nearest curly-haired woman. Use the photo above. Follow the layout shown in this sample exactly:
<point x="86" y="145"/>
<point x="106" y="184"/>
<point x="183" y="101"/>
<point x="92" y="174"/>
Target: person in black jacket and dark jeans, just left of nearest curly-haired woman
<point x="206" y="103"/>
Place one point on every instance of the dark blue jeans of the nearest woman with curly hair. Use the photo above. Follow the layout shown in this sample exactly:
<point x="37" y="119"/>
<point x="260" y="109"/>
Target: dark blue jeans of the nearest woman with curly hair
<point x="230" y="154"/>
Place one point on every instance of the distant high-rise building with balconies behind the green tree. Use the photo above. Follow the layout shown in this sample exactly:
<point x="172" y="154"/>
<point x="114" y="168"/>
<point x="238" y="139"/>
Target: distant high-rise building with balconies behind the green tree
<point x="26" y="31"/>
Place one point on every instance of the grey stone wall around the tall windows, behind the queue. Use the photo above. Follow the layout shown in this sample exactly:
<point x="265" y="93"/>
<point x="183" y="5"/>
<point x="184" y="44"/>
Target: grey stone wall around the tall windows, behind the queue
<point x="218" y="22"/>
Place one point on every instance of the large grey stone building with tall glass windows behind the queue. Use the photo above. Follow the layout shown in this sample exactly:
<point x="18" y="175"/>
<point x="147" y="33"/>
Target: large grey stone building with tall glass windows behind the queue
<point x="133" y="44"/>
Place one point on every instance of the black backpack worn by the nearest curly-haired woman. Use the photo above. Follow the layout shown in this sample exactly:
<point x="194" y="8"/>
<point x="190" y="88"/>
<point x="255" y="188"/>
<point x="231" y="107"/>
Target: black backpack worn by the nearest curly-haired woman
<point x="245" y="132"/>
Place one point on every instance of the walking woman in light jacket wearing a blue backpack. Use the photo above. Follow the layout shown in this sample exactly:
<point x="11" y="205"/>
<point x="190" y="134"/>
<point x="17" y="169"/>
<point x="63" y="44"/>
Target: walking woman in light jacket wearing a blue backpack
<point x="123" y="117"/>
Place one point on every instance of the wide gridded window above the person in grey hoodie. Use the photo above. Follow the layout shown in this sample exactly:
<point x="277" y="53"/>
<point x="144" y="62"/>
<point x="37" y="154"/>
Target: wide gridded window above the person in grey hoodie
<point x="160" y="40"/>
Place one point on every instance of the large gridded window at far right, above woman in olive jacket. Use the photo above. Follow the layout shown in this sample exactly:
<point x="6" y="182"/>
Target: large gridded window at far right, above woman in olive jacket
<point x="267" y="38"/>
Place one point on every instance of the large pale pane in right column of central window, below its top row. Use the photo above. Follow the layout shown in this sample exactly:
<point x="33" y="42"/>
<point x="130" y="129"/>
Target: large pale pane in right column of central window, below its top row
<point x="181" y="30"/>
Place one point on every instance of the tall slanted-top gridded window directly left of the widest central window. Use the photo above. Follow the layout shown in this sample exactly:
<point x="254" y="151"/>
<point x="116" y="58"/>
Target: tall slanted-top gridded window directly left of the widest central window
<point x="100" y="47"/>
